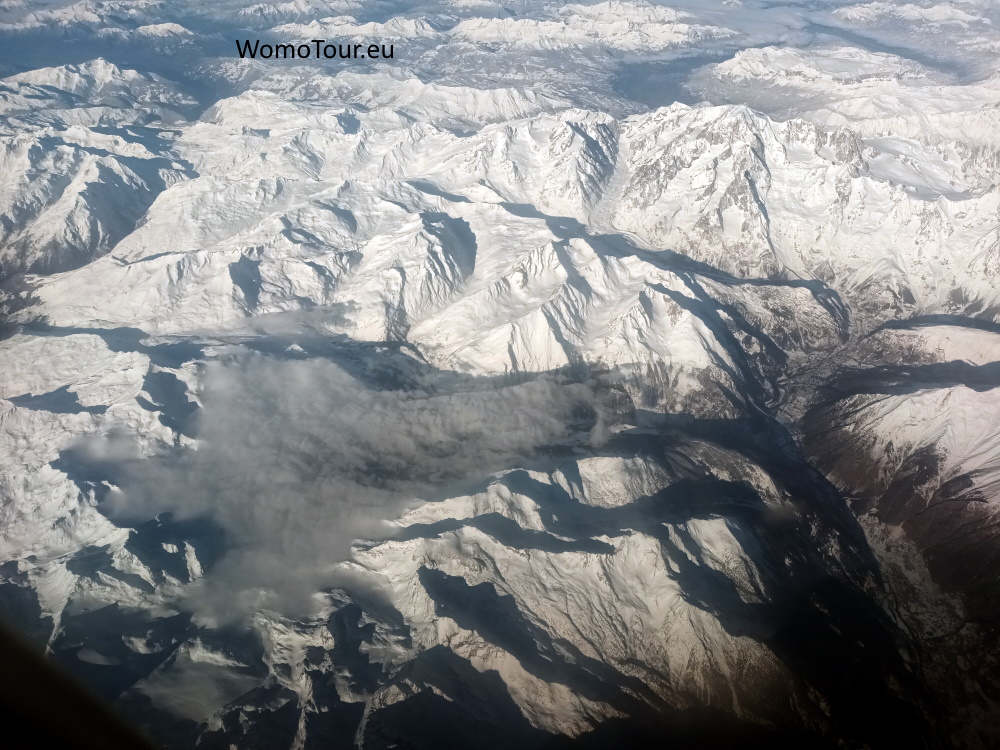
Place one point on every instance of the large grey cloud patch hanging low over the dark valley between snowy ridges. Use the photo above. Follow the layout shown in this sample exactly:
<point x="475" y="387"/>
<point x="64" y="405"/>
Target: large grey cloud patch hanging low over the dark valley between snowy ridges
<point x="298" y="459"/>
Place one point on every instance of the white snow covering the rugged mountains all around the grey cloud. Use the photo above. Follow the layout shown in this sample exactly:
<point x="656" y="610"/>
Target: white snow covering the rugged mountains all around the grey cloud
<point x="490" y="207"/>
